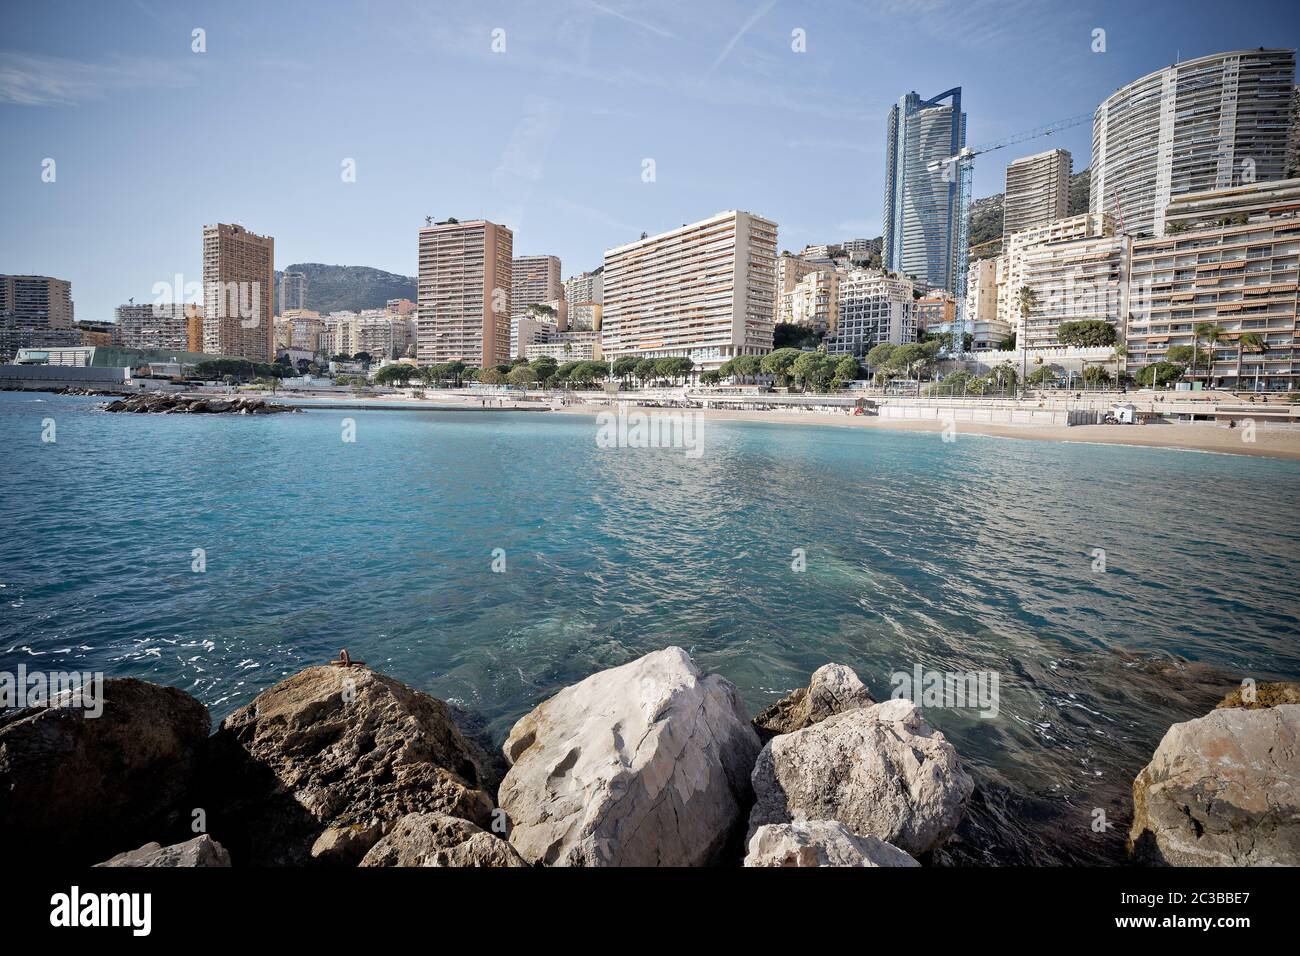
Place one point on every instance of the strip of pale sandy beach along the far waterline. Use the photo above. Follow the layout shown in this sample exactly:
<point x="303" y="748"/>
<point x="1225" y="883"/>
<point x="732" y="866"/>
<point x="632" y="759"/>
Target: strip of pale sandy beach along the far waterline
<point x="1271" y="442"/>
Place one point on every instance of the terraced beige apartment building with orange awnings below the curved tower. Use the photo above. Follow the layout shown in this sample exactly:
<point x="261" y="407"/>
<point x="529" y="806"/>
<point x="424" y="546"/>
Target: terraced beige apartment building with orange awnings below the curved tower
<point x="1233" y="265"/>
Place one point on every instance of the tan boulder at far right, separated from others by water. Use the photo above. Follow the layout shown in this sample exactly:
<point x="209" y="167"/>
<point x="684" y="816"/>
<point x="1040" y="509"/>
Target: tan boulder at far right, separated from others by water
<point x="1223" y="790"/>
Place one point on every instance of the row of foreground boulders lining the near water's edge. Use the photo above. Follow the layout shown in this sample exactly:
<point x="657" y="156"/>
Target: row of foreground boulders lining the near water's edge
<point x="651" y="764"/>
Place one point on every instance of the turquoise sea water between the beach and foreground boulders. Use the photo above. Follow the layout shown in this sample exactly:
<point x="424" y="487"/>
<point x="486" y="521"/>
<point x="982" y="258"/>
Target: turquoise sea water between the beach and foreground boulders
<point x="967" y="556"/>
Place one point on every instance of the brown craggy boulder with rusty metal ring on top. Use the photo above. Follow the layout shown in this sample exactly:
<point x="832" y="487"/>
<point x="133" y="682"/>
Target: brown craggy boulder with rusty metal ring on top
<point x="319" y="767"/>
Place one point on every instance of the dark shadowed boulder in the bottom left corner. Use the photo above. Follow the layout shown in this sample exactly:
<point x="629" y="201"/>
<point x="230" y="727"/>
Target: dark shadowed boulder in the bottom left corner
<point x="77" y="789"/>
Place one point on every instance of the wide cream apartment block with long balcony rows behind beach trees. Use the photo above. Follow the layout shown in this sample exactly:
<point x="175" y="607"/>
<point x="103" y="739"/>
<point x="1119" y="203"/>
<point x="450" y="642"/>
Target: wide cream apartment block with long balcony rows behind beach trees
<point x="704" y="292"/>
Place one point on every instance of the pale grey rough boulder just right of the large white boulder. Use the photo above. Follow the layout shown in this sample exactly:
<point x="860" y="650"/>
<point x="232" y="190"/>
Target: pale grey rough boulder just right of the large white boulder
<point x="881" y="771"/>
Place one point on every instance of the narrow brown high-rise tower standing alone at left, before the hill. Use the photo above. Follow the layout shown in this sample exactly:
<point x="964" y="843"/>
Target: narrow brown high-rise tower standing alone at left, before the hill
<point x="239" y="292"/>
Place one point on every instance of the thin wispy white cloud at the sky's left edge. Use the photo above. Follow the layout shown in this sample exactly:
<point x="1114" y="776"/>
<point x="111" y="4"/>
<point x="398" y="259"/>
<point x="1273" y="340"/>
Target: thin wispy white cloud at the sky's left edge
<point x="34" y="80"/>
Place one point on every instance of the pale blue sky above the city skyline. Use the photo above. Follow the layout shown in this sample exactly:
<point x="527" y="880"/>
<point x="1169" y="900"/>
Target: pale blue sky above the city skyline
<point x="536" y="115"/>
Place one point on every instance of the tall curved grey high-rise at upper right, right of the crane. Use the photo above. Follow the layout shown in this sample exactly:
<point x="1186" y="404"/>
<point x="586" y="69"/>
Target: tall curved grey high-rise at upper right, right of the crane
<point x="1206" y="124"/>
